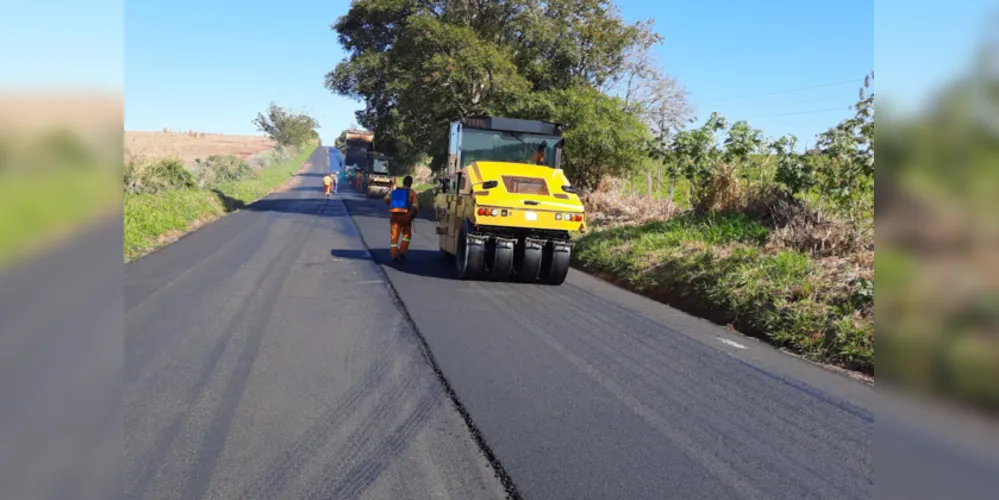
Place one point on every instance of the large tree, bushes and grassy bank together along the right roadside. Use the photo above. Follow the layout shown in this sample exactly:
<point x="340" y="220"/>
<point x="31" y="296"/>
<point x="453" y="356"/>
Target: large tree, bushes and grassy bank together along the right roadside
<point x="713" y="217"/>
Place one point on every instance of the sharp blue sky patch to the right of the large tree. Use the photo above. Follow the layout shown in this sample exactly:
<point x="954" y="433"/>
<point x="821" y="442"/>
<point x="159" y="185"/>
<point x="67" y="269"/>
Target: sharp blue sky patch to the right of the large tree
<point x="786" y="66"/>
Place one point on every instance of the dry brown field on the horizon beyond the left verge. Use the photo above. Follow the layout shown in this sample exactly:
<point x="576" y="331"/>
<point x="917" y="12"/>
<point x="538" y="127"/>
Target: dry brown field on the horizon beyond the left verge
<point x="189" y="146"/>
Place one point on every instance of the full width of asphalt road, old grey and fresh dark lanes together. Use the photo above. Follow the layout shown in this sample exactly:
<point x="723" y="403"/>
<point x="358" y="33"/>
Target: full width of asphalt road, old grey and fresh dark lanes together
<point x="266" y="356"/>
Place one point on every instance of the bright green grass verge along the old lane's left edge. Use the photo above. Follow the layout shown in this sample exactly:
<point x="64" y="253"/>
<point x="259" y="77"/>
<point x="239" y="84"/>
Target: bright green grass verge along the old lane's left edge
<point x="152" y="219"/>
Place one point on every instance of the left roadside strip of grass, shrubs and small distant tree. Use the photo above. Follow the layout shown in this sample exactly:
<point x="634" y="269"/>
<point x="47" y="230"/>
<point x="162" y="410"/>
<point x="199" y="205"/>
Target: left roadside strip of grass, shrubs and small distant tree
<point x="165" y="198"/>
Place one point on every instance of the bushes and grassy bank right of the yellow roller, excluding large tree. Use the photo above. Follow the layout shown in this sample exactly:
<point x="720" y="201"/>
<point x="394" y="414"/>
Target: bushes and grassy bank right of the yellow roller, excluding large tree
<point x="776" y="243"/>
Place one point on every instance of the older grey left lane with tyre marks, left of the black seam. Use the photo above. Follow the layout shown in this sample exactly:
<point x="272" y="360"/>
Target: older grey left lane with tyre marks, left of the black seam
<point x="265" y="358"/>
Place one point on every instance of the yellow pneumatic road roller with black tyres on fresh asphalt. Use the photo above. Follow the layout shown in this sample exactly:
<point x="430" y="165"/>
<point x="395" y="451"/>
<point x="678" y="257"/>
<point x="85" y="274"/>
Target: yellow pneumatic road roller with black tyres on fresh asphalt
<point x="505" y="209"/>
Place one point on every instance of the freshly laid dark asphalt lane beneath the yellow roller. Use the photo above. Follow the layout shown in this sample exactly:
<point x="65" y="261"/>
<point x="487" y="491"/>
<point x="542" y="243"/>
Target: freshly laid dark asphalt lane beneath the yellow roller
<point x="588" y="391"/>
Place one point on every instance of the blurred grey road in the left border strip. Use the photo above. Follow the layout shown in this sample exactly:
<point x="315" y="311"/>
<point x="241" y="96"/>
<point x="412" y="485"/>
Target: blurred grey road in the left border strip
<point x="61" y="369"/>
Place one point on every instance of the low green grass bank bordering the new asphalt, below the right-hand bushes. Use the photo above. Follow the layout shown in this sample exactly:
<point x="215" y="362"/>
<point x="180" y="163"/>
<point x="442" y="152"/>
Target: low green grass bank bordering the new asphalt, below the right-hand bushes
<point x="716" y="267"/>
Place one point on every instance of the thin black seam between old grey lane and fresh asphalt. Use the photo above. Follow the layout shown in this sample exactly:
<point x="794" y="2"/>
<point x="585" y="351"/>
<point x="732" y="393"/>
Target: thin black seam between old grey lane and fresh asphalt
<point x="498" y="470"/>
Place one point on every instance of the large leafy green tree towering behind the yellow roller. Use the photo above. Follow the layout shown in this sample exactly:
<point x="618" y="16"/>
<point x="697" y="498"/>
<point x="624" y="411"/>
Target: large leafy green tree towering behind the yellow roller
<point x="418" y="64"/>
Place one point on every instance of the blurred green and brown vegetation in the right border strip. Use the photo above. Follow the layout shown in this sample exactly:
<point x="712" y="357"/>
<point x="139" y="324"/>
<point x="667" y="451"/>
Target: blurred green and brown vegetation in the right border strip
<point x="938" y="261"/>
